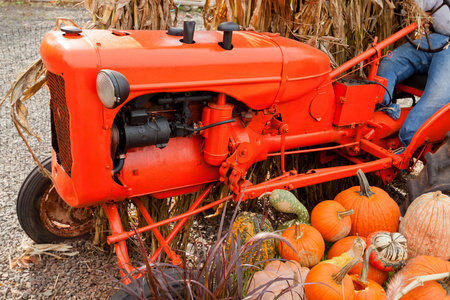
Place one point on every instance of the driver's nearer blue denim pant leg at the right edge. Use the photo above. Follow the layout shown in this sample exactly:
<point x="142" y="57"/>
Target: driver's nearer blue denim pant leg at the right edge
<point x="435" y="96"/>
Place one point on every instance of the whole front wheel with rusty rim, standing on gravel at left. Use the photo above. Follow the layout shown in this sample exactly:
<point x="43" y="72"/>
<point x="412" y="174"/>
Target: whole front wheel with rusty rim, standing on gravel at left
<point x="43" y="215"/>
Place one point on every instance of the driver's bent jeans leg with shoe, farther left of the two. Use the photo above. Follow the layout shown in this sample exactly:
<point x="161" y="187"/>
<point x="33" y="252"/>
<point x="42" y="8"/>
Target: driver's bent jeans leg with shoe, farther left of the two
<point x="404" y="62"/>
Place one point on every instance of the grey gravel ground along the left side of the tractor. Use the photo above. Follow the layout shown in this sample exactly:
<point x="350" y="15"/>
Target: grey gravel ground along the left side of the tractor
<point x="90" y="273"/>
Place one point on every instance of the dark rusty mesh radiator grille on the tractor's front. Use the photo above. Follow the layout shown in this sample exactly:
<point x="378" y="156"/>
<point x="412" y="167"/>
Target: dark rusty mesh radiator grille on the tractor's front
<point x="60" y="121"/>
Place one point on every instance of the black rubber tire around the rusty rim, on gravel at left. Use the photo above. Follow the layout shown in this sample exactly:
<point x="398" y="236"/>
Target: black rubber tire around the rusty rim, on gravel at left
<point x="33" y="190"/>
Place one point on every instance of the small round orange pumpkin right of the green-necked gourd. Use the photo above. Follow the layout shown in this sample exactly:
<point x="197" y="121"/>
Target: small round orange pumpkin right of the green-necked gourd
<point x="332" y="220"/>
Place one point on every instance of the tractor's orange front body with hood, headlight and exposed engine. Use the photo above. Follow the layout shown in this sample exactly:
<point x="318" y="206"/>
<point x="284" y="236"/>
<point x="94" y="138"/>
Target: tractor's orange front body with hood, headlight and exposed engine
<point x="160" y="112"/>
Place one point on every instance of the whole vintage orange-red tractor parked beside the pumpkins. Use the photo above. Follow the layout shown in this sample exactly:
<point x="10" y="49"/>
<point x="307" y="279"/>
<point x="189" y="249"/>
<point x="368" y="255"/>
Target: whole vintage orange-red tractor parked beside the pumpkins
<point x="165" y="113"/>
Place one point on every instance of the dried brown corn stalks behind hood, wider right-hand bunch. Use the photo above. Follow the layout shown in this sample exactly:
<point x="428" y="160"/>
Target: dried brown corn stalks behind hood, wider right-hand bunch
<point x="341" y="28"/>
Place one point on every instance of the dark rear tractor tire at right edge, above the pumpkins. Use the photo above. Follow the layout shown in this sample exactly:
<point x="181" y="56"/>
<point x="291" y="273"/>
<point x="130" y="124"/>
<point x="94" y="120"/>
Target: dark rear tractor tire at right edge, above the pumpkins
<point x="435" y="176"/>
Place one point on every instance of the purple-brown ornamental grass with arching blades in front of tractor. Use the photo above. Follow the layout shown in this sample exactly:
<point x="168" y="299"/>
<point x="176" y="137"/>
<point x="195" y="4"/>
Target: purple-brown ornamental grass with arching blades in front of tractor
<point x="210" y="272"/>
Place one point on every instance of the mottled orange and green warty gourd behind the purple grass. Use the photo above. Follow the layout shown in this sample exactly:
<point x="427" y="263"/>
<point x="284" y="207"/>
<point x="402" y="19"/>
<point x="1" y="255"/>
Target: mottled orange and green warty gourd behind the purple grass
<point x="248" y="224"/>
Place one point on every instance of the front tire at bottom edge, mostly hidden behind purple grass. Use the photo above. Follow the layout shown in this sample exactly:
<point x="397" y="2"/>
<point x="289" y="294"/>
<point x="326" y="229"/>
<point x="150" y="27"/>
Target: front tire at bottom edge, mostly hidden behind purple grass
<point x="174" y="278"/>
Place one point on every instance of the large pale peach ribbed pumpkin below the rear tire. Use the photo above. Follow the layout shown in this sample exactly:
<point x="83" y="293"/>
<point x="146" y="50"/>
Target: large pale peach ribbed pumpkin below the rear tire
<point x="426" y="226"/>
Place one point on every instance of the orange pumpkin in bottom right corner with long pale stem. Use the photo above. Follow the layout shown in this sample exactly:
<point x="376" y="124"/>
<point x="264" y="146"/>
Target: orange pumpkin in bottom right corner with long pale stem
<point x="420" y="266"/>
